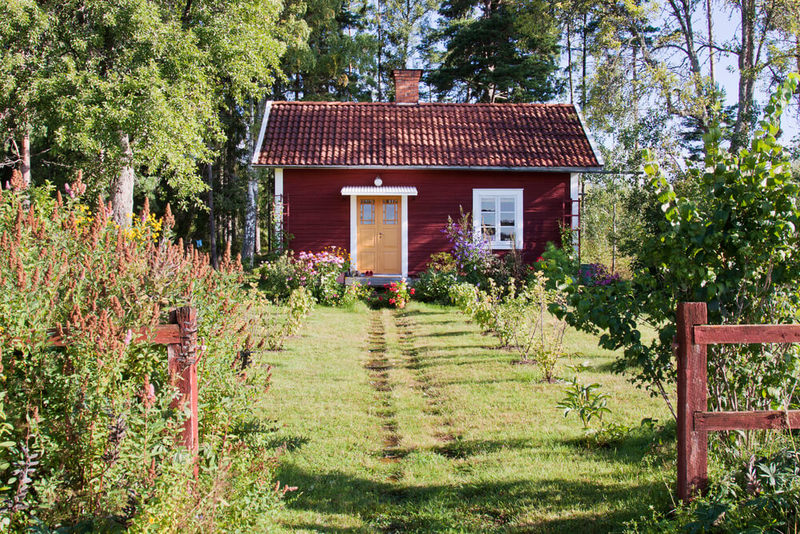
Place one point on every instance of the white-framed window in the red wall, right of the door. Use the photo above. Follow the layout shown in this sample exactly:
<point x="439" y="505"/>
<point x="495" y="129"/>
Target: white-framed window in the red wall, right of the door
<point x="497" y="217"/>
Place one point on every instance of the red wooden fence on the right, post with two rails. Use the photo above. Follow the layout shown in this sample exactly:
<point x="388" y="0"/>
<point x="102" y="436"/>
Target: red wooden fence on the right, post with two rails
<point x="694" y="419"/>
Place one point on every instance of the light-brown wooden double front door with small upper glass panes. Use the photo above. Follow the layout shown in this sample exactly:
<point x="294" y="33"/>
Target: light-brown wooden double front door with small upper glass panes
<point x="379" y="246"/>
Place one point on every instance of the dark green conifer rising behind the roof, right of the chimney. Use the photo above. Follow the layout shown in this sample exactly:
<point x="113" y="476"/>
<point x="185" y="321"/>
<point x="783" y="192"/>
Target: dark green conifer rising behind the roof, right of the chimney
<point x="496" y="50"/>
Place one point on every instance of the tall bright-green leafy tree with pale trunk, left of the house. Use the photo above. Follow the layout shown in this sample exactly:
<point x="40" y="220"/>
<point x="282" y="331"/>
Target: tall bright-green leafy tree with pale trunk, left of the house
<point x="131" y="89"/>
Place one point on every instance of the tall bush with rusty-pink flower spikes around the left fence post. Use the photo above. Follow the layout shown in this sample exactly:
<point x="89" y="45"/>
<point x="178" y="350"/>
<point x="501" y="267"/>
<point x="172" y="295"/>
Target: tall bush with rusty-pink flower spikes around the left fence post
<point x="89" y="438"/>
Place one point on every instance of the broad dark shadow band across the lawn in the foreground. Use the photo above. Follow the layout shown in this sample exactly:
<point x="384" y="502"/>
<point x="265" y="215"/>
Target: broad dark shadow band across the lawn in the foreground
<point x="483" y="506"/>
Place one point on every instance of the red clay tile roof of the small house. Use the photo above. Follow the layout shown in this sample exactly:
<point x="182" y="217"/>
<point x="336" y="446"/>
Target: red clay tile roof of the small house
<point x="321" y="134"/>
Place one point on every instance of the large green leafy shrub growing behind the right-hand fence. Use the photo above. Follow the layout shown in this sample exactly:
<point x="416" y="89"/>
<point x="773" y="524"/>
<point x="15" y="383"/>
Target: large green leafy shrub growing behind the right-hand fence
<point x="732" y="244"/>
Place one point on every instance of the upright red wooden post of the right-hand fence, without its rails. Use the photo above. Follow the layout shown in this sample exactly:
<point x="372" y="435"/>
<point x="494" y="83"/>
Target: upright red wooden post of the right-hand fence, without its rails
<point x="692" y="397"/>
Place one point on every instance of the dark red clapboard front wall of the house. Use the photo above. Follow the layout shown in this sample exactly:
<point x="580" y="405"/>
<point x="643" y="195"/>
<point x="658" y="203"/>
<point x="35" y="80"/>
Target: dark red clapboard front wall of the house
<point x="319" y="216"/>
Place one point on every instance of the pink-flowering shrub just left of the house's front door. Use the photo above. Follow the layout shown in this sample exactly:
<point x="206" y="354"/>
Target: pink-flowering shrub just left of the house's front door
<point x="321" y="274"/>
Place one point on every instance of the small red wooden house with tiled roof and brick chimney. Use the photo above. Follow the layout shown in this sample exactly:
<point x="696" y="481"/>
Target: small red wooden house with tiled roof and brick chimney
<point x="380" y="179"/>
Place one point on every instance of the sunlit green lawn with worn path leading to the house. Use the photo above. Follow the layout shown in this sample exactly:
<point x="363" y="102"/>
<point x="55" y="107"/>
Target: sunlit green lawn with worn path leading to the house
<point x="412" y="421"/>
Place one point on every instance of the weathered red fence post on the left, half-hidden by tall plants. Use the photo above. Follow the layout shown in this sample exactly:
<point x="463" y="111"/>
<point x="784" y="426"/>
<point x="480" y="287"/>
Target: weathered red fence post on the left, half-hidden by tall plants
<point x="183" y="371"/>
